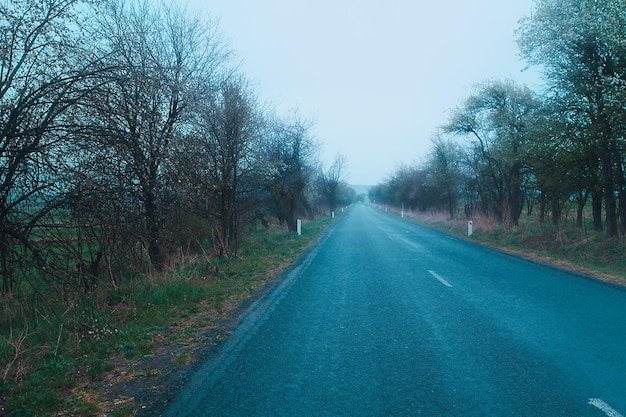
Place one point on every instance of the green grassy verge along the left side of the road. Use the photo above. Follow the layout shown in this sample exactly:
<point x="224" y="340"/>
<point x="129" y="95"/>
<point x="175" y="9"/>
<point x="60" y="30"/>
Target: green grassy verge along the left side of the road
<point x="56" y="349"/>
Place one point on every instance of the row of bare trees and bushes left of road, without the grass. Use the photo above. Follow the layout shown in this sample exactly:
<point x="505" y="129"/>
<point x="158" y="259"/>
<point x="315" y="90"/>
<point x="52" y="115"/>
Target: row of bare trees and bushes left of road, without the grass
<point x="127" y="135"/>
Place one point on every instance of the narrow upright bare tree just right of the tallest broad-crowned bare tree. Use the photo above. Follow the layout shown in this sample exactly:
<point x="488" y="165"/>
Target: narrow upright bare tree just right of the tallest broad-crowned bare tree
<point x="223" y="160"/>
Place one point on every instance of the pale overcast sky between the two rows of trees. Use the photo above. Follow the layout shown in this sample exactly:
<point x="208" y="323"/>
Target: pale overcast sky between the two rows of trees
<point x="377" y="77"/>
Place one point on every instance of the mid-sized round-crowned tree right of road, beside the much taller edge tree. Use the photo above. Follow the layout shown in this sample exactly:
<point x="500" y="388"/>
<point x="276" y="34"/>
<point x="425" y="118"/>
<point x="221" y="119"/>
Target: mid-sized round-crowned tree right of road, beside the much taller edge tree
<point x="499" y="117"/>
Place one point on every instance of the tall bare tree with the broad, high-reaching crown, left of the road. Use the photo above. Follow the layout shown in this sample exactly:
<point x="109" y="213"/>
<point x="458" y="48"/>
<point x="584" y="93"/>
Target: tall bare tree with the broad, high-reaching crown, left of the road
<point x="163" y="63"/>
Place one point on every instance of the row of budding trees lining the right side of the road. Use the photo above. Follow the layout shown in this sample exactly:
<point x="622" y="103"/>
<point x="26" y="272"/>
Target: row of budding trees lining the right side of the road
<point x="553" y="150"/>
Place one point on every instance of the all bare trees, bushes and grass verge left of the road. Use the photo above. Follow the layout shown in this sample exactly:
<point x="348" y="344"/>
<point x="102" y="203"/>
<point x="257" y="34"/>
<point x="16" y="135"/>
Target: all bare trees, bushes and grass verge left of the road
<point x="141" y="181"/>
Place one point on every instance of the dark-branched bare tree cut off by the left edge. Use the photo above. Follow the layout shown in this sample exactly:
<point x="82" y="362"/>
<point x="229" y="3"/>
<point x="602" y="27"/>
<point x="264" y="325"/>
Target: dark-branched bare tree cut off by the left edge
<point x="44" y="69"/>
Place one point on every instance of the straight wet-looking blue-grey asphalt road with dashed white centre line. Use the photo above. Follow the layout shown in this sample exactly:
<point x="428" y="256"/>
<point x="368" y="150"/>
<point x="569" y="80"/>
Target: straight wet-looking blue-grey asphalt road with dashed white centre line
<point x="387" y="318"/>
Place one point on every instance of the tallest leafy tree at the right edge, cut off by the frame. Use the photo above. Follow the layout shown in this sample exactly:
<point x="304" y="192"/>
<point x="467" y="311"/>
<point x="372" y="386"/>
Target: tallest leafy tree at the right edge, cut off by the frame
<point x="580" y="47"/>
